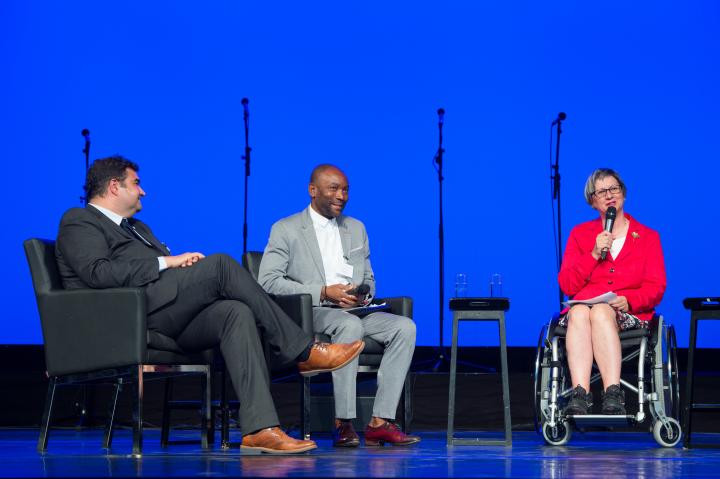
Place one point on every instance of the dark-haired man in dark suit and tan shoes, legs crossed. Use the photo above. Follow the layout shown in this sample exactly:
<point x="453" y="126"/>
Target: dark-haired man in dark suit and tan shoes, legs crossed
<point x="200" y="302"/>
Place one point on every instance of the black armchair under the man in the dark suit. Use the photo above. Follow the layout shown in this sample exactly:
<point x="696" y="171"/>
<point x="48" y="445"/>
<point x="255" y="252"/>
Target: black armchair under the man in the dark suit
<point x="100" y="336"/>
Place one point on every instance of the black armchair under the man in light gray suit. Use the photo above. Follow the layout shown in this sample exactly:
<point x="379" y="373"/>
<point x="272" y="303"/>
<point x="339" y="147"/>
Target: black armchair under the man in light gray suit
<point x="299" y="308"/>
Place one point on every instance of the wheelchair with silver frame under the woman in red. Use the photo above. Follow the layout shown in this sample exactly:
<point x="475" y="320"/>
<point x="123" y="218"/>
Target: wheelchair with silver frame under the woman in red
<point x="654" y="348"/>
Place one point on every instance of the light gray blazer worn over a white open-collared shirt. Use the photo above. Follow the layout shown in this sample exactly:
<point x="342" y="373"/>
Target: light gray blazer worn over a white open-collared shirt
<point x="292" y="262"/>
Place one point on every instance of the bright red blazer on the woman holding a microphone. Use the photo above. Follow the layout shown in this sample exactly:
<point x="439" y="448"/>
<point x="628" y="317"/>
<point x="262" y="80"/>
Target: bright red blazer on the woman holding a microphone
<point x="638" y="272"/>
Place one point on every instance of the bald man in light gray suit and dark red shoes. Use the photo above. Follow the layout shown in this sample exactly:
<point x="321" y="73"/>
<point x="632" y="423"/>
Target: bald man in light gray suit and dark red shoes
<point x="321" y="252"/>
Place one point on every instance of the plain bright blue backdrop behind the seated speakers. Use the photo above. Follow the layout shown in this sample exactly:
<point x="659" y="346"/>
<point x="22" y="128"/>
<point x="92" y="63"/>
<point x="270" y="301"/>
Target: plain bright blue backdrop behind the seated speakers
<point x="358" y="84"/>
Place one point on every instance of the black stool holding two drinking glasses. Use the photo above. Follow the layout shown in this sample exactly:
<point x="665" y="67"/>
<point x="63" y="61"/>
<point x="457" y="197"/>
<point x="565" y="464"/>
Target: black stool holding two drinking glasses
<point x="479" y="309"/>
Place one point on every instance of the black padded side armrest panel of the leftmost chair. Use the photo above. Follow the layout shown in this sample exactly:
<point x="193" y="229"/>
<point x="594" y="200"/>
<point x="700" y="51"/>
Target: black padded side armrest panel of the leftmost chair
<point x="78" y="339"/>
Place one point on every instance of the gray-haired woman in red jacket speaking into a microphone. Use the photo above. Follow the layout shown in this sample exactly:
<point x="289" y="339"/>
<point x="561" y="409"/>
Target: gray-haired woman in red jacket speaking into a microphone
<point x="633" y="269"/>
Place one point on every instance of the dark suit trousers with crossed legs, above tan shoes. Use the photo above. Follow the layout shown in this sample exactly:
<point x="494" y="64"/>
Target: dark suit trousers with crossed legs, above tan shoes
<point x="220" y="304"/>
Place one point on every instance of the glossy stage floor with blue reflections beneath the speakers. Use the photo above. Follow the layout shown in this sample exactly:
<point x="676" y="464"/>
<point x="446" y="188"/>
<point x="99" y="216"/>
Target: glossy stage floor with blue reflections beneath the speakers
<point x="590" y="454"/>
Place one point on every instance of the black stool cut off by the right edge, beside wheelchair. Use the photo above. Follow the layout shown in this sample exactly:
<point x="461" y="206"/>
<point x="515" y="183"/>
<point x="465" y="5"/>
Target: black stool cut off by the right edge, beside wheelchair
<point x="701" y="308"/>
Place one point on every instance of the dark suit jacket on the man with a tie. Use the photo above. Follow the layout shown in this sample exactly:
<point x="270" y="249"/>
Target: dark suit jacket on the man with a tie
<point x="94" y="252"/>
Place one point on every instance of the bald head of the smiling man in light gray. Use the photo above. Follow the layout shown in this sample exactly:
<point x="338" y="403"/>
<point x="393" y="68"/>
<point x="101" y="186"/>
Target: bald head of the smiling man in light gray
<point x="329" y="189"/>
